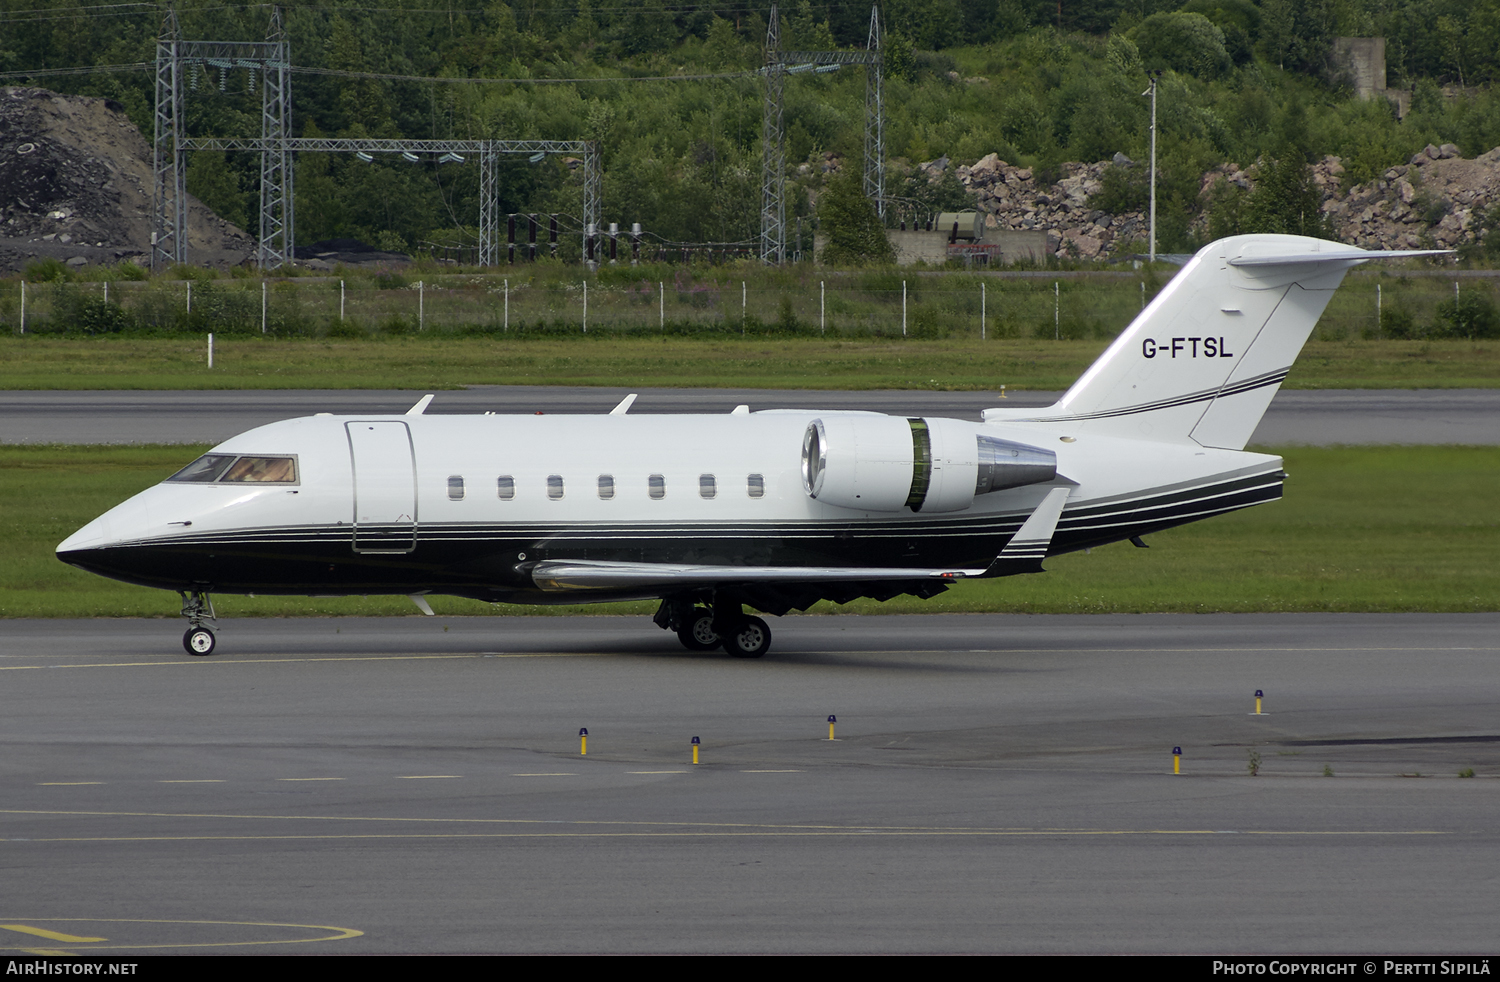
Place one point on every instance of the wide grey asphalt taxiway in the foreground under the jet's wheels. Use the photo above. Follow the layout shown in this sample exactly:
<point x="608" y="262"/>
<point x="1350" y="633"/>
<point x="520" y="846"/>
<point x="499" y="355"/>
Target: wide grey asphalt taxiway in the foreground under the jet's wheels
<point x="998" y="785"/>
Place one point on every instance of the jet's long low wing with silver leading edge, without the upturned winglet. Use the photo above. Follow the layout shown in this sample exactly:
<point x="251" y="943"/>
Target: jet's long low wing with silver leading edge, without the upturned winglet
<point x="559" y="576"/>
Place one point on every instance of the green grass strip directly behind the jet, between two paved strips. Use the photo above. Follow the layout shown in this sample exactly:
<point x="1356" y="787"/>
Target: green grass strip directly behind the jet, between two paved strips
<point x="1361" y="530"/>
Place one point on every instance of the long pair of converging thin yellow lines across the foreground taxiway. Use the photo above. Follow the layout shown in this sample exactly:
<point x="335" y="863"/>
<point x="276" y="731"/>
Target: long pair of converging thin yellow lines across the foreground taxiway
<point x="649" y="828"/>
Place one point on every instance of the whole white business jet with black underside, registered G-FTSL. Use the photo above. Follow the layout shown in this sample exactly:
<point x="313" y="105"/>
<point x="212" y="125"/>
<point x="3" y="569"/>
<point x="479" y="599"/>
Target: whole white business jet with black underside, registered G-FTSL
<point x="773" y="510"/>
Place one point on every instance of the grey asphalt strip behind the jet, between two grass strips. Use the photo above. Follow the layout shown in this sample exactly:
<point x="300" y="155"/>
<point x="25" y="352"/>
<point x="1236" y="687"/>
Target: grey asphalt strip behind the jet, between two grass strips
<point x="1322" y="418"/>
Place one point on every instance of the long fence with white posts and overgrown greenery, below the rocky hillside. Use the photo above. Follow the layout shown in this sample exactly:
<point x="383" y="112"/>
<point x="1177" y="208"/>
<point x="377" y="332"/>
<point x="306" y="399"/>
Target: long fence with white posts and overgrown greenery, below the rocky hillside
<point x="869" y="305"/>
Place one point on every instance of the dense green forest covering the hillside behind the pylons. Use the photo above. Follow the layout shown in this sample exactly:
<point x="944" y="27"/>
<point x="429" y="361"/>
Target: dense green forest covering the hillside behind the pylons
<point x="673" y="95"/>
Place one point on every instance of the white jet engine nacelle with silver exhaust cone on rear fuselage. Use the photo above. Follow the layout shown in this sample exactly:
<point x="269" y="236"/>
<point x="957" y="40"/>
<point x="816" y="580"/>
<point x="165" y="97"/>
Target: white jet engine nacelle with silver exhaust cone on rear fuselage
<point x="887" y="464"/>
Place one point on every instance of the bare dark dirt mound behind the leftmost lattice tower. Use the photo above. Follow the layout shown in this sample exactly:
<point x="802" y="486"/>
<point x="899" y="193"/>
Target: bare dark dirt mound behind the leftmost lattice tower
<point x="76" y="185"/>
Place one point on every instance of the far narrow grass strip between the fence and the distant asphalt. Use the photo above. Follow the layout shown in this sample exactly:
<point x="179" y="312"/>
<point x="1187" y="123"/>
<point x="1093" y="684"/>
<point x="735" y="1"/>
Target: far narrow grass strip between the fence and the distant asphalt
<point x="601" y="359"/>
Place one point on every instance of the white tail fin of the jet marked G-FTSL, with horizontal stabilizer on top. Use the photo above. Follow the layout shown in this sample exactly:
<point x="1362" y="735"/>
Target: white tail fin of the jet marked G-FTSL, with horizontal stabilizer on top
<point x="1205" y="358"/>
